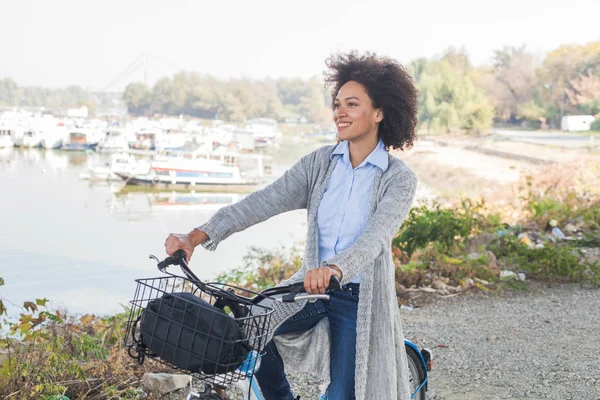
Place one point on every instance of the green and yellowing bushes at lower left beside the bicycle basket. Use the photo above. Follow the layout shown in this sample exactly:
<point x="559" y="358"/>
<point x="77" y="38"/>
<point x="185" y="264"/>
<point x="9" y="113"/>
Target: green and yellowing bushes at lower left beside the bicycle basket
<point x="51" y="355"/>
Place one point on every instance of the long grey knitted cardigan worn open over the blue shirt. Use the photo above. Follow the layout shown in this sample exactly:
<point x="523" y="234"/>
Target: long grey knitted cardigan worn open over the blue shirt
<point x="381" y="365"/>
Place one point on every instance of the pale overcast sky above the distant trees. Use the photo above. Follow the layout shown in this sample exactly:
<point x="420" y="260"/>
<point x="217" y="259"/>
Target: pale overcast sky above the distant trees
<point x="62" y="42"/>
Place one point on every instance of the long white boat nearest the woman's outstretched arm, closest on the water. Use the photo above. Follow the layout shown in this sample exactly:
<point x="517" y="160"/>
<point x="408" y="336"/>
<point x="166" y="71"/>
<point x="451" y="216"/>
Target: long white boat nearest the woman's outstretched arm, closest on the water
<point x="190" y="172"/>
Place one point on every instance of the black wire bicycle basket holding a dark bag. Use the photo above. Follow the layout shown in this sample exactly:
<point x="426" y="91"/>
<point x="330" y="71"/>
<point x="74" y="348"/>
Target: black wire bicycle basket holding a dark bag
<point x="186" y="328"/>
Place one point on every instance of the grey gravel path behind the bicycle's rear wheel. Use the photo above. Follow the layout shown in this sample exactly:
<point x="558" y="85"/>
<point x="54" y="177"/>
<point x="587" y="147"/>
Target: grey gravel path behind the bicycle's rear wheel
<point x="540" y="344"/>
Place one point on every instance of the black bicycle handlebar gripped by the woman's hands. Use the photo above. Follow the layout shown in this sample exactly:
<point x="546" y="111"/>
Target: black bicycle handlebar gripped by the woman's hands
<point x="290" y="293"/>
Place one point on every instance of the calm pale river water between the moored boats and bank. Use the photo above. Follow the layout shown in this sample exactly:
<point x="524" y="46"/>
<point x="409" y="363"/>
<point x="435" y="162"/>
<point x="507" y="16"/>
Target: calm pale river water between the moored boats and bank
<point x="81" y="244"/>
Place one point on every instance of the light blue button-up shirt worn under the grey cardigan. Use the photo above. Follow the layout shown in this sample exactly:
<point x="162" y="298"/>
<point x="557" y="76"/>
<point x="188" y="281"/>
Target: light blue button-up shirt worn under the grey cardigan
<point x="344" y="212"/>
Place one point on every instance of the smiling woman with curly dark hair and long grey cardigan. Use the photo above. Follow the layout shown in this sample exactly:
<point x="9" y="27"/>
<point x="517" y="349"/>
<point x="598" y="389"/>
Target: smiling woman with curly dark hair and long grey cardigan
<point x="357" y="196"/>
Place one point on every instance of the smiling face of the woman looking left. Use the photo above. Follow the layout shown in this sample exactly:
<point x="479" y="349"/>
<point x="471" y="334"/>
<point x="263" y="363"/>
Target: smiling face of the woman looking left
<point x="354" y="115"/>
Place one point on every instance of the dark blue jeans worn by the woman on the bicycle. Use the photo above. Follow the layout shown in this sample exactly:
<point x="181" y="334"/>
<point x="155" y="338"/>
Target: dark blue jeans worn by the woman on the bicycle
<point x="341" y="311"/>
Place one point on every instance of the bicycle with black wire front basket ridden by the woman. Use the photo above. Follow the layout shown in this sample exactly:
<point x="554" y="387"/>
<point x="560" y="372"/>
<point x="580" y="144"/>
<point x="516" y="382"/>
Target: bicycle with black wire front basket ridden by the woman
<point x="163" y="312"/>
